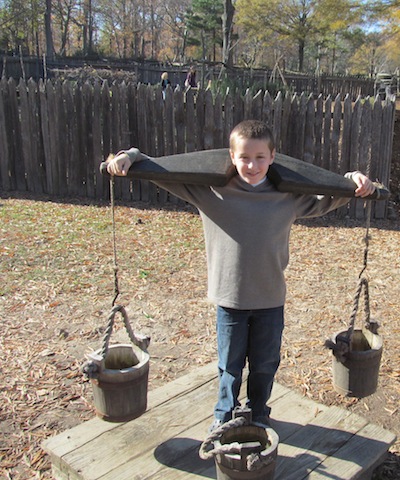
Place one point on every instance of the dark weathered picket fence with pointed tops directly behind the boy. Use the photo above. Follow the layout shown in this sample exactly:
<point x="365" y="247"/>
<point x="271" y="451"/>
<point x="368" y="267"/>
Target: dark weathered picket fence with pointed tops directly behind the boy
<point x="54" y="135"/>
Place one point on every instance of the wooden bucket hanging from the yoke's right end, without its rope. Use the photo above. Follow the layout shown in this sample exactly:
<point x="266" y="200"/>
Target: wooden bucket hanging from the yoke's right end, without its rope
<point x="356" y="375"/>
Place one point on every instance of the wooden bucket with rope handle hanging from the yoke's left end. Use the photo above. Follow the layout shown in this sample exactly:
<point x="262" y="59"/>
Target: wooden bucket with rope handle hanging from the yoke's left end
<point x="119" y="375"/>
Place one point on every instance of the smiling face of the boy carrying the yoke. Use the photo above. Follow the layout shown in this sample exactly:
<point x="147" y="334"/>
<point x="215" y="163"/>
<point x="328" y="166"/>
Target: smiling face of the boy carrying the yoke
<point x="252" y="158"/>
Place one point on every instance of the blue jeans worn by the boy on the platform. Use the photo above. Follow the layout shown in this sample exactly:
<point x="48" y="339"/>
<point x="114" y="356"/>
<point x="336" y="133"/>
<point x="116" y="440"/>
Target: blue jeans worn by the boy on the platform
<point x="254" y="335"/>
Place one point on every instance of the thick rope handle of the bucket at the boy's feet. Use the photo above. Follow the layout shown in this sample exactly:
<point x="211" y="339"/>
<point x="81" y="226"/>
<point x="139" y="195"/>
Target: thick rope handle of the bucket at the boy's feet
<point x="254" y="461"/>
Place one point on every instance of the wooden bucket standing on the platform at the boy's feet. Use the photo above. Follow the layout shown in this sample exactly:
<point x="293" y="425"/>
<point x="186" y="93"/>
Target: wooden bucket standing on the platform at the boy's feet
<point x="234" y="466"/>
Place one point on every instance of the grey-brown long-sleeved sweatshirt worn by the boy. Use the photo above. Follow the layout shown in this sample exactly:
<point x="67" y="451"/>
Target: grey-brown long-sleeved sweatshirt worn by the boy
<point x="246" y="233"/>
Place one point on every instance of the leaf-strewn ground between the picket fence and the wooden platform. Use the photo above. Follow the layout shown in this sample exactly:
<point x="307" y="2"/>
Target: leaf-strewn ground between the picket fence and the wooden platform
<point x="57" y="285"/>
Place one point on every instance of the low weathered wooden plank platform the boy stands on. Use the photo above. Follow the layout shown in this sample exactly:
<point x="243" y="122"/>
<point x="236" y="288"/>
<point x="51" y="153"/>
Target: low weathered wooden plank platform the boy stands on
<point x="316" y="442"/>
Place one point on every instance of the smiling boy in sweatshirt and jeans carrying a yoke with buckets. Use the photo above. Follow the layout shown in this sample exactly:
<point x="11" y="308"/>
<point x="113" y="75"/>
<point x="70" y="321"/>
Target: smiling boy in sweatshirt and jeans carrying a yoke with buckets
<point x="246" y="226"/>
